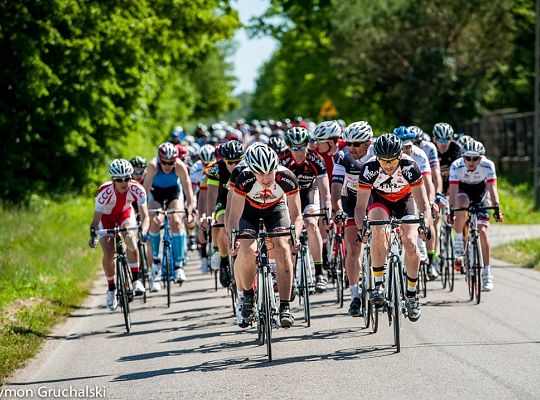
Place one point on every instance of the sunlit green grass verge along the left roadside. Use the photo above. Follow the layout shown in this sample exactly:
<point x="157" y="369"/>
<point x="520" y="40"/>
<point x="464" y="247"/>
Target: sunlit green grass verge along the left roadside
<point x="46" y="271"/>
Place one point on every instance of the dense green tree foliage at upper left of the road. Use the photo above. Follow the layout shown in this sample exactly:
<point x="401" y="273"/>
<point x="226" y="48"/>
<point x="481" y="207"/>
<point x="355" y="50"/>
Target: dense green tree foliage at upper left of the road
<point x="81" y="77"/>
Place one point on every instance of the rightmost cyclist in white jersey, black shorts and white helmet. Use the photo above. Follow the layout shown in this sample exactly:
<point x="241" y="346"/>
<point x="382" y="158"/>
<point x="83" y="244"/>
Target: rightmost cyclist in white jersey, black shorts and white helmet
<point x="472" y="178"/>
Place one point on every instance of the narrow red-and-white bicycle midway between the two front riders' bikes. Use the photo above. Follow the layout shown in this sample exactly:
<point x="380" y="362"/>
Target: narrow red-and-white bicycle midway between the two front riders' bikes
<point x="336" y="257"/>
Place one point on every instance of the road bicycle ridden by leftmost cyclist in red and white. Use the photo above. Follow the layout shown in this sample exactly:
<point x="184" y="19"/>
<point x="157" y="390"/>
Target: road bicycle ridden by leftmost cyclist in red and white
<point x="124" y="285"/>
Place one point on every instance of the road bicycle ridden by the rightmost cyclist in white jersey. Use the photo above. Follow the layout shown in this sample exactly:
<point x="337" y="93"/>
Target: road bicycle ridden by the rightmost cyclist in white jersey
<point x="472" y="260"/>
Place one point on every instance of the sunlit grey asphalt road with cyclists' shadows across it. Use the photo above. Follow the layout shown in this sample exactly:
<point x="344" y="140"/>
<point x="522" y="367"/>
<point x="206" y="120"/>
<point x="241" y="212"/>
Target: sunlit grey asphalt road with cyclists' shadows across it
<point x="193" y="350"/>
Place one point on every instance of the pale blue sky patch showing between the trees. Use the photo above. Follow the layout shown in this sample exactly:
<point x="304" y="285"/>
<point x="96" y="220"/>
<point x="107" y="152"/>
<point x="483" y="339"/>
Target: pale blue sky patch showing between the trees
<point x="251" y="53"/>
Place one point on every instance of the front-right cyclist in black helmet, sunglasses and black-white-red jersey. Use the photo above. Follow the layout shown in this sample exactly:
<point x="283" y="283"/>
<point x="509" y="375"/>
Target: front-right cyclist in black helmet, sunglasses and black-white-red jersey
<point x="394" y="182"/>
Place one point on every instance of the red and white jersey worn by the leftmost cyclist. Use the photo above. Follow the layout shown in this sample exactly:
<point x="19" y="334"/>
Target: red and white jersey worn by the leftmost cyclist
<point x="116" y="207"/>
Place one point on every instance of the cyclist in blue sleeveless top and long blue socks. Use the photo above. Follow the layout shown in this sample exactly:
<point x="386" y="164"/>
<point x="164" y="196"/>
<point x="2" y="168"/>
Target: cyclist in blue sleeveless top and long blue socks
<point x="166" y="181"/>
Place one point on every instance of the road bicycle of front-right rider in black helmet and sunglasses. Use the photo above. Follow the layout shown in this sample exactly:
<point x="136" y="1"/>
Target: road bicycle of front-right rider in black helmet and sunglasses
<point x="394" y="304"/>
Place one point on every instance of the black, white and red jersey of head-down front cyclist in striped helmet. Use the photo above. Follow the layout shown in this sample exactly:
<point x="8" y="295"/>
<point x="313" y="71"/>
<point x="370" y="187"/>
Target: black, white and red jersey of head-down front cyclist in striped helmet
<point x="260" y="197"/>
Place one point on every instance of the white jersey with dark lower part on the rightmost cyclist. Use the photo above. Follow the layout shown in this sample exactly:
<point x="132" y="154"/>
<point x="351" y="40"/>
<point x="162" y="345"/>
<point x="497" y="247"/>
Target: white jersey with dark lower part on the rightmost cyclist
<point x="472" y="183"/>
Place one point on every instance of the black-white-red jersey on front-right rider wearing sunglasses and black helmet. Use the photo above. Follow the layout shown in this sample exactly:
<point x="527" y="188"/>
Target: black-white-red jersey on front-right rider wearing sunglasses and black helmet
<point x="393" y="187"/>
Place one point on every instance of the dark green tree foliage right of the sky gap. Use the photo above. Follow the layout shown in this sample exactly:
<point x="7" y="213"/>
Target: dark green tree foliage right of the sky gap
<point x="397" y="62"/>
